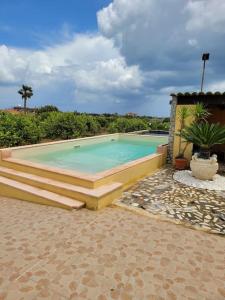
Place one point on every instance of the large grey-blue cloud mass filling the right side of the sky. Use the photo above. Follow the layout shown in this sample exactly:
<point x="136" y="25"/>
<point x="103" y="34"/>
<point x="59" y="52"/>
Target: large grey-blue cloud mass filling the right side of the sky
<point x="166" y="39"/>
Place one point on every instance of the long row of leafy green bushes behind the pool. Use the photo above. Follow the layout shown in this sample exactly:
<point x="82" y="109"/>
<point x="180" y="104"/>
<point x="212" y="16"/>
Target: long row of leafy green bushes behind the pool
<point x="48" y="123"/>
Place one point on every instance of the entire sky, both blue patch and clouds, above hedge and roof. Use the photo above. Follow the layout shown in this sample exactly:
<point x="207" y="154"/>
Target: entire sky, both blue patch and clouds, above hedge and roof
<point x="109" y="55"/>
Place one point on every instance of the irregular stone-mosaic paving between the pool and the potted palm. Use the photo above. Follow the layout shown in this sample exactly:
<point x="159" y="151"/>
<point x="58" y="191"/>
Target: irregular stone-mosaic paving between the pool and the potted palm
<point x="161" y="195"/>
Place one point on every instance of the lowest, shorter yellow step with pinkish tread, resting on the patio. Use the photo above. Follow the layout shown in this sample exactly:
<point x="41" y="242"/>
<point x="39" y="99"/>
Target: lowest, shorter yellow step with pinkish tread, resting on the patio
<point x="15" y="189"/>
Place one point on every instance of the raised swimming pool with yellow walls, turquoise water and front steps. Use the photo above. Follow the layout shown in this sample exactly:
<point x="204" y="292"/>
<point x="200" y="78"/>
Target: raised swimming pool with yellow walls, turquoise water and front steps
<point x="94" y="170"/>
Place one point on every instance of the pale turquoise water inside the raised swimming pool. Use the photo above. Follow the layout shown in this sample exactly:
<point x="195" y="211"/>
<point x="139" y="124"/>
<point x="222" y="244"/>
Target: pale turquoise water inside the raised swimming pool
<point x="96" y="157"/>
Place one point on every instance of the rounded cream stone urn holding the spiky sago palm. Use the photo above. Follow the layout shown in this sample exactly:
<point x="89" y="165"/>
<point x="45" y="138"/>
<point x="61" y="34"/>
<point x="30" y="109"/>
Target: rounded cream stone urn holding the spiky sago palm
<point x="204" y="169"/>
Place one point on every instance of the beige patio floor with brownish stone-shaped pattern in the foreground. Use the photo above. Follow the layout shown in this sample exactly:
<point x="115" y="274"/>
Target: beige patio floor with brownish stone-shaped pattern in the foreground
<point x="49" y="253"/>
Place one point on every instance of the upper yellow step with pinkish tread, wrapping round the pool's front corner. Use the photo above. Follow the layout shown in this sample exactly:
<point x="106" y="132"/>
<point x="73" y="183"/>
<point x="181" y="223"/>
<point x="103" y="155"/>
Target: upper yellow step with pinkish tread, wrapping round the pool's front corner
<point x="94" y="198"/>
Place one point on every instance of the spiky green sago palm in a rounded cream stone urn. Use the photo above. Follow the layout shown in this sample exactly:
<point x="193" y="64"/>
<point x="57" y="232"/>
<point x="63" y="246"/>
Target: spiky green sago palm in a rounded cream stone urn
<point x="204" y="135"/>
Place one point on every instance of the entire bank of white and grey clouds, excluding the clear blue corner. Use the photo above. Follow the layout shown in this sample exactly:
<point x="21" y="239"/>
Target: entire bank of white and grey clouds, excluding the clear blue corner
<point x="145" y="49"/>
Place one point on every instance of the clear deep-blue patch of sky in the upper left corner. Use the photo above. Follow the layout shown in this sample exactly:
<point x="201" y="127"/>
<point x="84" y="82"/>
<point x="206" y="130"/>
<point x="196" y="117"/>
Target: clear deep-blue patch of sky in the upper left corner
<point x="32" y="23"/>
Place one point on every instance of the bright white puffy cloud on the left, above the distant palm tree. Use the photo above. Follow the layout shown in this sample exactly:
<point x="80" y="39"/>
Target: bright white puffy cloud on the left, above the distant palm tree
<point x="89" y="62"/>
